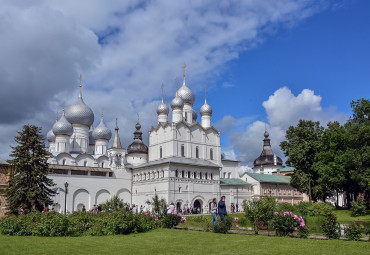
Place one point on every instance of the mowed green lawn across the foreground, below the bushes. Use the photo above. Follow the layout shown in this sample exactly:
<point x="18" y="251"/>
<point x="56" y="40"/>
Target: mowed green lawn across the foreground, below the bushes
<point x="171" y="241"/>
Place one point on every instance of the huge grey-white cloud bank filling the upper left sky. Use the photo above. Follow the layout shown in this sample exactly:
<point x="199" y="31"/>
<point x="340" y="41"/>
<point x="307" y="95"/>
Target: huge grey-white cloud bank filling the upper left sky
<point x="125" y="49"/>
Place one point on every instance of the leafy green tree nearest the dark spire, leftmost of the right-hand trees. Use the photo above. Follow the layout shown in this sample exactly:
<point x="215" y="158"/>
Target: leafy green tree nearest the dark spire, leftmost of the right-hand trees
<point x="301" y="145"/>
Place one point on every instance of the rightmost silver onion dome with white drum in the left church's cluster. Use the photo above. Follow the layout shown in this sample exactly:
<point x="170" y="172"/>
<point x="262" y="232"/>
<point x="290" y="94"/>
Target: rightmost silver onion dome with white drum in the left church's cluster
<point x="102" y="135"/>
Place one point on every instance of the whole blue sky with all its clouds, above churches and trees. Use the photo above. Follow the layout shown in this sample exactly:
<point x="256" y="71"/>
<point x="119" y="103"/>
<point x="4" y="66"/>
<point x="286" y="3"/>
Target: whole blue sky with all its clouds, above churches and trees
<point x="265" y="63"/>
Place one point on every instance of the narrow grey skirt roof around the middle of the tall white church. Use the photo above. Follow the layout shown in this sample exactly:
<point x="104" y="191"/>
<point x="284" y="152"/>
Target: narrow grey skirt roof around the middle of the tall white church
<point x="179" y="160"/>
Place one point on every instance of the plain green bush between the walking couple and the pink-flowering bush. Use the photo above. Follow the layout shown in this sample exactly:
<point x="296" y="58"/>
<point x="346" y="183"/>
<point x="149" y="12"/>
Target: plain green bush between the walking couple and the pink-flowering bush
<point x="259" y="211"/>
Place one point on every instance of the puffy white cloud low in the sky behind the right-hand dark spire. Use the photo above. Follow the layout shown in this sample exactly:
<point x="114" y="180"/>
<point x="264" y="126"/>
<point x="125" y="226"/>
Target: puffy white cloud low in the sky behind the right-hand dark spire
<point x="283" y="109"/>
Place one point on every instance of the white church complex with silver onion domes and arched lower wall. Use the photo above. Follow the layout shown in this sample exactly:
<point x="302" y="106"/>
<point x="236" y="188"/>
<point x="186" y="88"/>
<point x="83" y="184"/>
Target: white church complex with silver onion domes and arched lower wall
<point x="182" y="163"/>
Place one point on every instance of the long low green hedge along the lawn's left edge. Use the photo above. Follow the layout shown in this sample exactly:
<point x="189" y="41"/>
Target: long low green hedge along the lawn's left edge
<point x="77" y="224"/>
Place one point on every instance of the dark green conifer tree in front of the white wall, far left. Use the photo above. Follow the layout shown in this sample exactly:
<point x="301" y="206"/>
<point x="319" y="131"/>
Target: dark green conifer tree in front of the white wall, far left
<point x="29" y="185"/>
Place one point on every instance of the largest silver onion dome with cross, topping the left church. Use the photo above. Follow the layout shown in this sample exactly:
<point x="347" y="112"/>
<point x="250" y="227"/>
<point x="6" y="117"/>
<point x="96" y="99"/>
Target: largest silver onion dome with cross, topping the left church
<point x="80" y="113"/>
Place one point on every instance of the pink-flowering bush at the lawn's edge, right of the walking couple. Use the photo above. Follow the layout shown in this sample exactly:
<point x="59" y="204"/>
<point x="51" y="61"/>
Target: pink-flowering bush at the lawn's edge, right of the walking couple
<point x="285" y="223"/>
